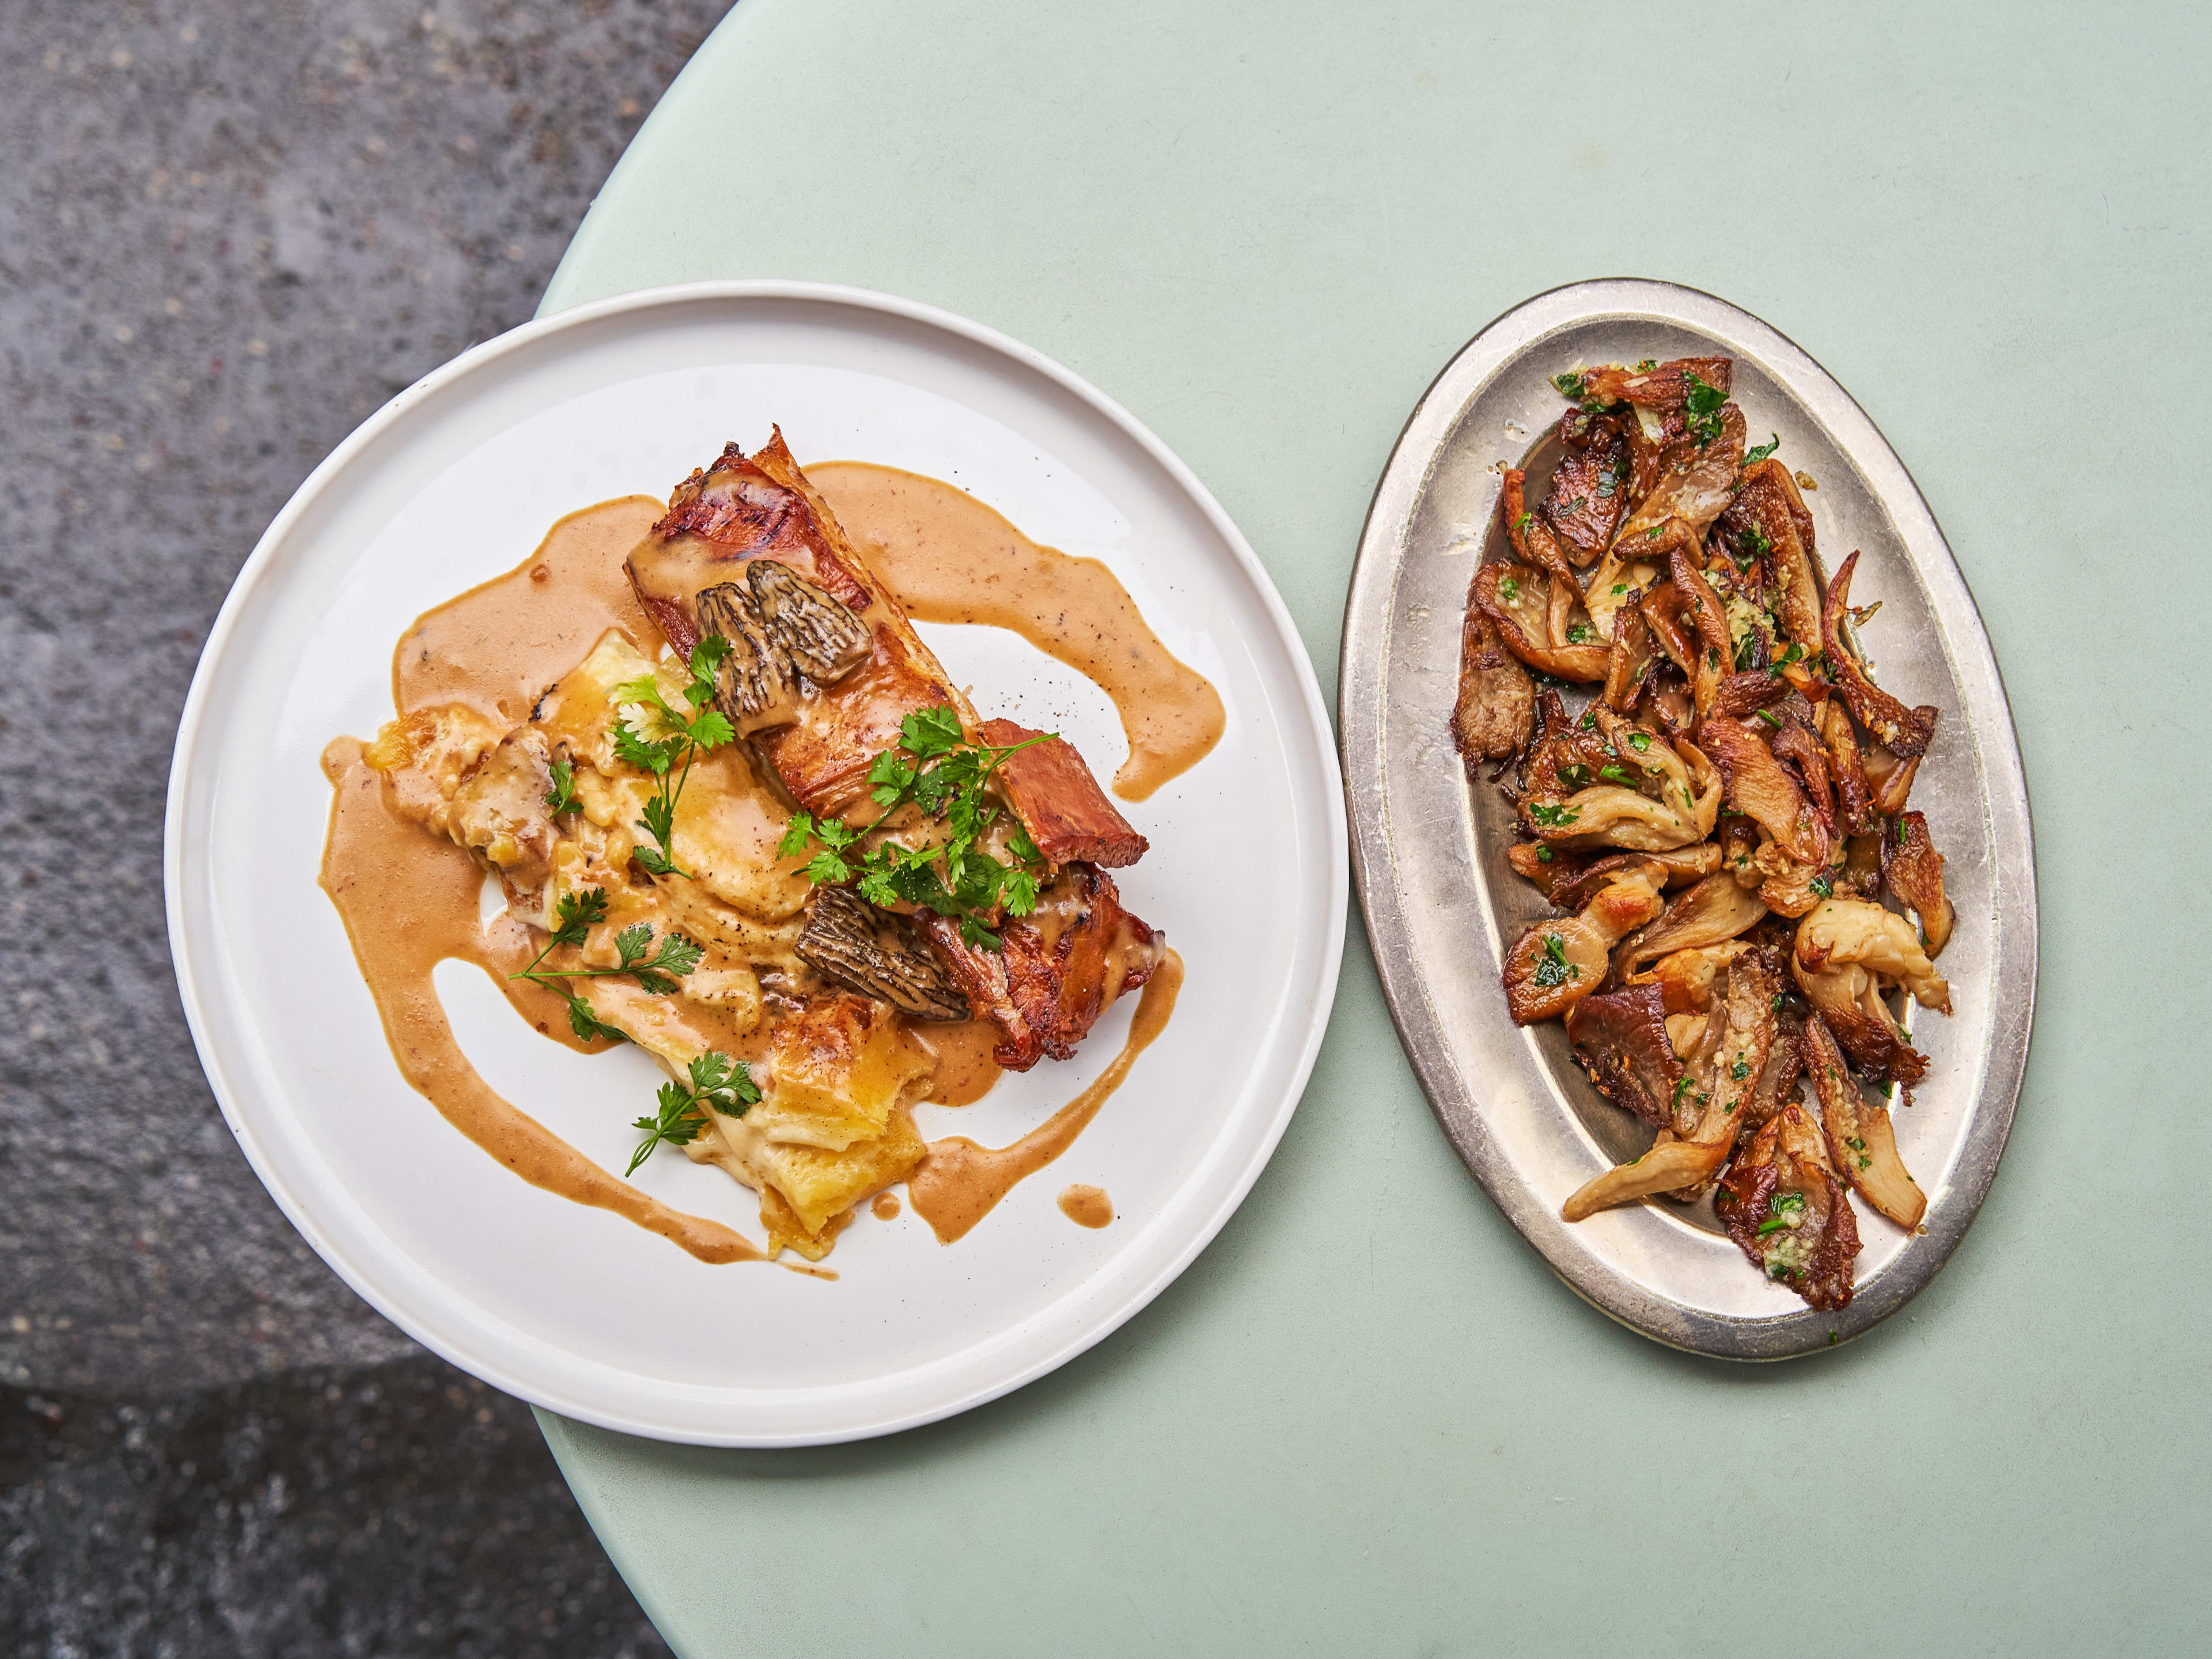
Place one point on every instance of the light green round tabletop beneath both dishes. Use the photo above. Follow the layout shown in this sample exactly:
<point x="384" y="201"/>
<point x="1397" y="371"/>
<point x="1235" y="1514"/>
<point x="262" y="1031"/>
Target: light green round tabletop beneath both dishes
<point x="1370" y="1419"/>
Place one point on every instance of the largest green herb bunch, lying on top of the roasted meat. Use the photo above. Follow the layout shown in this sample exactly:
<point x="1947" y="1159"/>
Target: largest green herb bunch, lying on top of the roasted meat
<point x="939" y="771"/>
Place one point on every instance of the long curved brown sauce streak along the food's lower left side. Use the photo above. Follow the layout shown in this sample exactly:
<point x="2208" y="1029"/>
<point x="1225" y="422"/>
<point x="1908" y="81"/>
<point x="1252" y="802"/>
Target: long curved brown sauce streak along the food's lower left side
<point x="410" y="904"/>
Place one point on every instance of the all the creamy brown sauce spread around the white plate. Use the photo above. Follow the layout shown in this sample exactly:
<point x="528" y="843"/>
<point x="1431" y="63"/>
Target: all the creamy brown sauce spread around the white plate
<point x="410" y="899"/>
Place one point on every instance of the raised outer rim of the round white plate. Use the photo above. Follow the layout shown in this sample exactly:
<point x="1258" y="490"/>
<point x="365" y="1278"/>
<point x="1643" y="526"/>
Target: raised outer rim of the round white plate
<point x="196" y="963"/>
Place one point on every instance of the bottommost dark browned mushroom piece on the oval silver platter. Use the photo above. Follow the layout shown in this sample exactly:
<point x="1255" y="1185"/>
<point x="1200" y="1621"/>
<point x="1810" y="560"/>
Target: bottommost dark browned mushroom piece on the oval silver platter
<point x="1784" y="1209"/>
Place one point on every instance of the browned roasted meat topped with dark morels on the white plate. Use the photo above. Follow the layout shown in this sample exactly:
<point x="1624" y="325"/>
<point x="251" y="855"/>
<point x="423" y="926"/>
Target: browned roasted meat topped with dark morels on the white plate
<point x="822" y="674"/>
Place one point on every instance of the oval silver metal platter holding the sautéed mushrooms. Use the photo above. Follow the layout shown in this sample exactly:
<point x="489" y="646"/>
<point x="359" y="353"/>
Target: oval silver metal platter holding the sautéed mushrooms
<point x="1430" y="846"/>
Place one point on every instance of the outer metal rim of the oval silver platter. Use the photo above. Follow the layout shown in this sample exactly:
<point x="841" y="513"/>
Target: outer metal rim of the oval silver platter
<point x="1366" y="769"/>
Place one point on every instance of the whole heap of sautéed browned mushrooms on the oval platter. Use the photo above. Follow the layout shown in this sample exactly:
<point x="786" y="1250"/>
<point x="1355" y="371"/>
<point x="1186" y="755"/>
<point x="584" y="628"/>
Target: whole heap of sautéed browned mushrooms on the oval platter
<point x="1746" y="906"/>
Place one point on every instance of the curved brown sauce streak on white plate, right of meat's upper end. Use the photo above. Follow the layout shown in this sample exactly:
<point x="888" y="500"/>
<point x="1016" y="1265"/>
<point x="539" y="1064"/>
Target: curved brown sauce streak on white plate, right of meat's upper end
<point x="950" y="559"/>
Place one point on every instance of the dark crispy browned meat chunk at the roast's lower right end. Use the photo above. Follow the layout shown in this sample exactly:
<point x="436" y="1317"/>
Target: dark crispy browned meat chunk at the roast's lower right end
<point x="1041" y="992"/>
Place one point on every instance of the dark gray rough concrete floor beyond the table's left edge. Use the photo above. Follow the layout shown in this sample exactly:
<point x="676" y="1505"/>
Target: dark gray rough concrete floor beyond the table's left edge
<point x="227" y="233"/>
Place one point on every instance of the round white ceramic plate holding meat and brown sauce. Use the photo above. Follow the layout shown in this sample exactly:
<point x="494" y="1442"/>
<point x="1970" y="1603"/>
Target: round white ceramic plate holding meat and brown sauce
<point x="578" y="1311"/>
